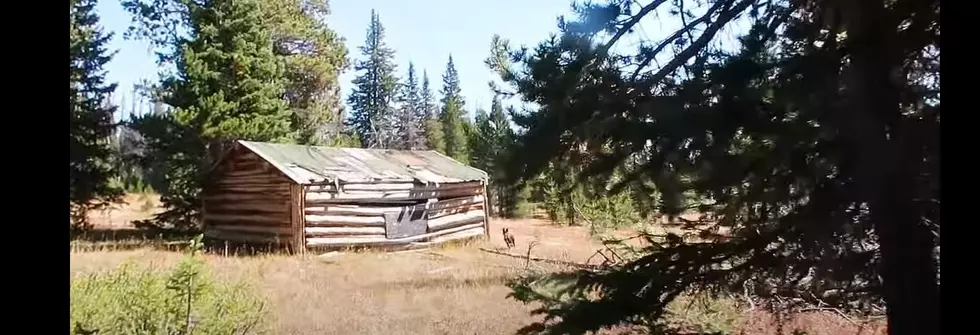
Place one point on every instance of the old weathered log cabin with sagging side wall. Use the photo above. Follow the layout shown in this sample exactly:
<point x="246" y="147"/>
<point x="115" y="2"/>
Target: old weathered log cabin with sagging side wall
<point x="313" y="197"/>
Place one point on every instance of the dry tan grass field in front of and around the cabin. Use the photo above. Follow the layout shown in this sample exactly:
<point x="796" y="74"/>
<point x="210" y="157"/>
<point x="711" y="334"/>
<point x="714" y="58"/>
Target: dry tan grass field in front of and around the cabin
<point x="452" y="290"/>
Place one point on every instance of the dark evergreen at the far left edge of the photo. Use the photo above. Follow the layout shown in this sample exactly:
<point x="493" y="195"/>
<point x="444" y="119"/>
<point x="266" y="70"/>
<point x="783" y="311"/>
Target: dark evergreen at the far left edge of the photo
<point x="90" y="125"/>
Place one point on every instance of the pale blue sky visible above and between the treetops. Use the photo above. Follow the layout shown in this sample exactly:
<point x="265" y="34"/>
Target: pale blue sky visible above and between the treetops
<point x="425" y="32"/>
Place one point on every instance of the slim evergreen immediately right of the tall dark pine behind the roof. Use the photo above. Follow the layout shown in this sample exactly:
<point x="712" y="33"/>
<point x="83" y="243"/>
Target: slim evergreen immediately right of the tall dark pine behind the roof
<point x="410" y="118"/>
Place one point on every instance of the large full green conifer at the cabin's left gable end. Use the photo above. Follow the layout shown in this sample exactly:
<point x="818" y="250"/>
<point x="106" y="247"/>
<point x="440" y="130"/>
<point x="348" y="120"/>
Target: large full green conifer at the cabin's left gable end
<point x="228" y="86"/>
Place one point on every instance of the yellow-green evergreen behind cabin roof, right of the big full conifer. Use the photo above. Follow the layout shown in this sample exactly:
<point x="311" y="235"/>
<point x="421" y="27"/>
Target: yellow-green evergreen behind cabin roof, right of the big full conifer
<point x="313" y="56"/>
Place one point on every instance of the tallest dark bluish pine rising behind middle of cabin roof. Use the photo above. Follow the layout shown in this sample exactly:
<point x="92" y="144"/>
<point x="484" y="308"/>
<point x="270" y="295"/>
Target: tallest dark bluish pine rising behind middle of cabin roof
<point x="372" y="98"/>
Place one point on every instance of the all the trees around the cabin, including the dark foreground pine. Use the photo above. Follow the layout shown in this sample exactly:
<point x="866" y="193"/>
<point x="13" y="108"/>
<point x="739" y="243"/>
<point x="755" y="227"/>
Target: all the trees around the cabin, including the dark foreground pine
<point x="813" y="138"/>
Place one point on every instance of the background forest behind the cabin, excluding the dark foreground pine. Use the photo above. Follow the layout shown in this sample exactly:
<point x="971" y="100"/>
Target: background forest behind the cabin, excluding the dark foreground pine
<point x="278" y="82"/>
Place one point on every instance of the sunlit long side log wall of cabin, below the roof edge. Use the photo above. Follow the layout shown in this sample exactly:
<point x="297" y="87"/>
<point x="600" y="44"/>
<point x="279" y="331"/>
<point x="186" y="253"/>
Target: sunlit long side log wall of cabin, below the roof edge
<point x="354" y="216"/>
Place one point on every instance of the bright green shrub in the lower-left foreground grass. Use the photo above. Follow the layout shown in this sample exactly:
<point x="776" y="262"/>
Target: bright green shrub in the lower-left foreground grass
<point x="183" y="300"/>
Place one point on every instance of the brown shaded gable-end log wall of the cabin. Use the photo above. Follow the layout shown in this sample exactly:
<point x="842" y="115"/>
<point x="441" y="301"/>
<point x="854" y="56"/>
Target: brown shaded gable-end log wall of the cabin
<point x="248" y="200"/>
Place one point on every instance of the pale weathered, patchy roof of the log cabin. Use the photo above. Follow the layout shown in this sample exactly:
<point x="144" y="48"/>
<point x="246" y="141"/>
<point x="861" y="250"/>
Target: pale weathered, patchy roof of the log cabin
<point x="307" y="164"/>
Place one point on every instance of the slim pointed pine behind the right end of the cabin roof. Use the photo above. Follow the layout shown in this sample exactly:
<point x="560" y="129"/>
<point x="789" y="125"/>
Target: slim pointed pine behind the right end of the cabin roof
<point x="452" y="115"/>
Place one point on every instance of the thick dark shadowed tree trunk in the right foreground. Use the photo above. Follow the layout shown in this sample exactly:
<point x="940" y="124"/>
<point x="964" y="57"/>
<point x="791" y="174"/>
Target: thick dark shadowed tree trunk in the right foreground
<point x="885" y="172"/>
